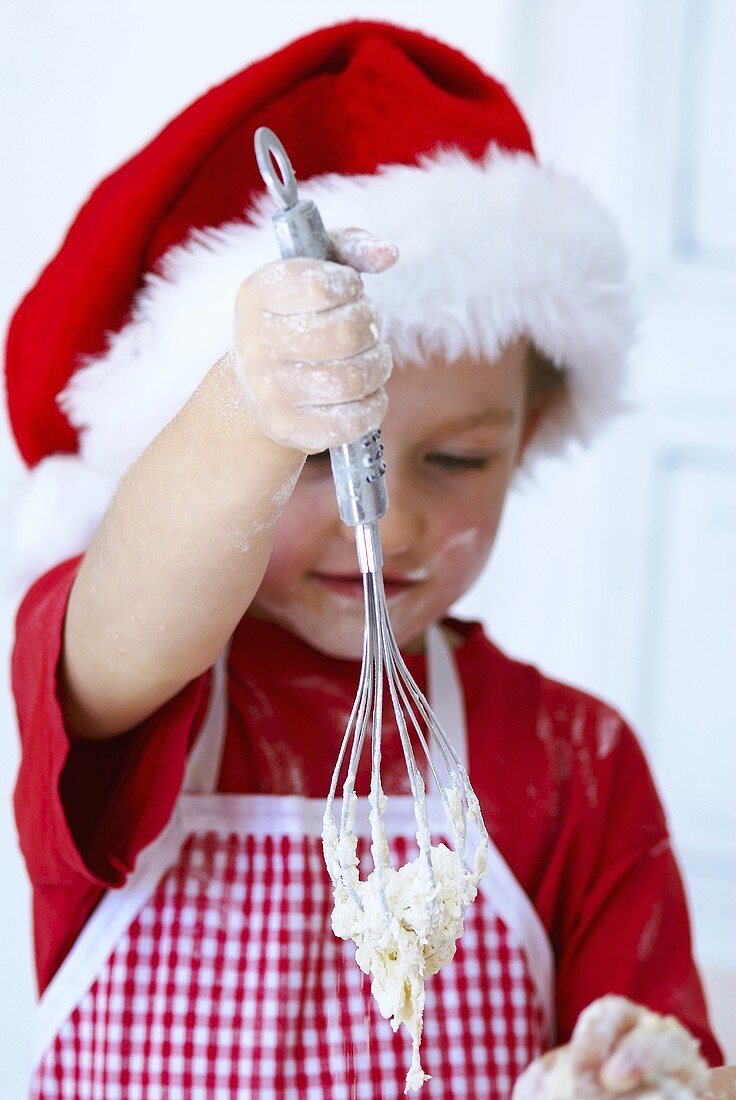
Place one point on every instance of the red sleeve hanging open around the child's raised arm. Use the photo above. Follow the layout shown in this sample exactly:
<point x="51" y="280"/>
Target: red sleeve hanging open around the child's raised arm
<point x="86" y="809"/>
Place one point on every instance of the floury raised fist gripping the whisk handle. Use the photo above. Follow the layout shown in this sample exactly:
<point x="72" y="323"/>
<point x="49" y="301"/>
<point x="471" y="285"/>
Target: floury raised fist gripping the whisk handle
<point x="307" y="346"/>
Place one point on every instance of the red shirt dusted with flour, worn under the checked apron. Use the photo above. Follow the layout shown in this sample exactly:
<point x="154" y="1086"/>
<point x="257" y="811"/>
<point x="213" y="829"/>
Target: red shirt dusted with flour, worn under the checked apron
<point x="563" y="783"/>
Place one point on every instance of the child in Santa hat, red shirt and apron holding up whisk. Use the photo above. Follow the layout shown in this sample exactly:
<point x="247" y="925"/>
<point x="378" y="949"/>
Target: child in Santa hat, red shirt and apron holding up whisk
<point x="184" y="685"/>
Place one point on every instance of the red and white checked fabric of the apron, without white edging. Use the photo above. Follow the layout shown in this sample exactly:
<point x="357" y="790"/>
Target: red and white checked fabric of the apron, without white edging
<point x="230" y="985"/>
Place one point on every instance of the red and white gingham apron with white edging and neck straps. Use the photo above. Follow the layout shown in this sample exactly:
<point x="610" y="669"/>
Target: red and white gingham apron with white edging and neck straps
<point x="214" y="973"/>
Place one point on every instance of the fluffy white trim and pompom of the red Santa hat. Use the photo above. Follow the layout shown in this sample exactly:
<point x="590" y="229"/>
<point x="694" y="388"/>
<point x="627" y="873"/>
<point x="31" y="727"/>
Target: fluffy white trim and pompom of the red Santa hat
<point x="489" y="251"/>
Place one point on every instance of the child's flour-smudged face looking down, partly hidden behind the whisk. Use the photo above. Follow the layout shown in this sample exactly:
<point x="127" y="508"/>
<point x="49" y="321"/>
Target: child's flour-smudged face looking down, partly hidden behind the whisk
<point x="454" y="435"/>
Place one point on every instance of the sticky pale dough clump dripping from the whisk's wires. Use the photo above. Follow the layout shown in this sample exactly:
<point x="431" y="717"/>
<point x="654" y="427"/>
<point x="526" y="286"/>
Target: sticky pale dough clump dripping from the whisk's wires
<point x="410" y="943"/>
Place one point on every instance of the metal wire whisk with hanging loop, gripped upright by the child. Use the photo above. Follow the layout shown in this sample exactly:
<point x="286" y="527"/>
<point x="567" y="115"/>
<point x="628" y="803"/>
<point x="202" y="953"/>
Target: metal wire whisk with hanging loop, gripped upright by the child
<point x="359" y="472"/>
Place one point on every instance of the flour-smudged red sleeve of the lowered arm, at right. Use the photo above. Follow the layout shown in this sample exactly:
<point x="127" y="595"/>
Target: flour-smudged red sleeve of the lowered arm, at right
<point x="629" y="930"/>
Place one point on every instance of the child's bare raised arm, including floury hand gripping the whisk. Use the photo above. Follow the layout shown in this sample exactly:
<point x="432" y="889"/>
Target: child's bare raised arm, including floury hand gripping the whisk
<point x="184" y="545"/>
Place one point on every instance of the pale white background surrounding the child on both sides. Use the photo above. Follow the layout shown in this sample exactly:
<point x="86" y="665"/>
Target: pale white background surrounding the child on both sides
<point x="614" y="571"/>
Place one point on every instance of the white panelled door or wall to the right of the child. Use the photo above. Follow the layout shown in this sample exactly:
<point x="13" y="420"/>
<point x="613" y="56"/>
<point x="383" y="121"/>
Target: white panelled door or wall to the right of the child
<point x="635" y="596"/>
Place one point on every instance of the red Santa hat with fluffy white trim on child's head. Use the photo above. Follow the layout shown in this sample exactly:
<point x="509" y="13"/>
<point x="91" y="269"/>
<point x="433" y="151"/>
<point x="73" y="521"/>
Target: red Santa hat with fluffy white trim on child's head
<point x="387" y="129"/>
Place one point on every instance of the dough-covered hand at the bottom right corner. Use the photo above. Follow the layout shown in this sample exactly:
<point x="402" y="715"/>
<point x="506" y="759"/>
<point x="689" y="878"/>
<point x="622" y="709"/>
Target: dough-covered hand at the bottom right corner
<point x="619" y="1049"/>
